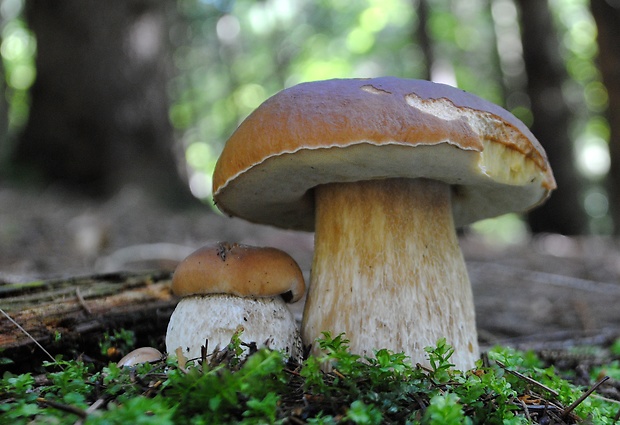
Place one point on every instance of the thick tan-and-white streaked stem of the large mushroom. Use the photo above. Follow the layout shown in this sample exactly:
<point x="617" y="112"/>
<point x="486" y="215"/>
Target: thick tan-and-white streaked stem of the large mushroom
<point x="388" y="270"/>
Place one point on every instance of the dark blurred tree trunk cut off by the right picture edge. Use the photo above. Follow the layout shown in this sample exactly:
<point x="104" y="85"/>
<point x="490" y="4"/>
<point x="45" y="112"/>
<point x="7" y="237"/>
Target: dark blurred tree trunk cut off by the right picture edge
<point x="607" y="17"/>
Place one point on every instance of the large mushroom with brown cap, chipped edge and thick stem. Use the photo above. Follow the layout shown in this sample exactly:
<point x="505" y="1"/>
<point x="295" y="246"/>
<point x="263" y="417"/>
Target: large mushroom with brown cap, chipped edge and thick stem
<point x="383" y="170"/>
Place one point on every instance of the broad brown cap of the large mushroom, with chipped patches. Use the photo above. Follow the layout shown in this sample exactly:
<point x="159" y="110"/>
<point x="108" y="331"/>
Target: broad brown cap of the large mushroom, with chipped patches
<point x="365" y="129"/>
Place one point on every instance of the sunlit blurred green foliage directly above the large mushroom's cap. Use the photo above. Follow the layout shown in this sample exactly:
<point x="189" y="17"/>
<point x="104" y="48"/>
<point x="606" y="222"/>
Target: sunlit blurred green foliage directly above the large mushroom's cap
<point x="232" y="56"/>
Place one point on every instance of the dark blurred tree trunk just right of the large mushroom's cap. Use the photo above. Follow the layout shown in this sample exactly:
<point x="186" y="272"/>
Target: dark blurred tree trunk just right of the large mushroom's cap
<point x="563" y="212"/>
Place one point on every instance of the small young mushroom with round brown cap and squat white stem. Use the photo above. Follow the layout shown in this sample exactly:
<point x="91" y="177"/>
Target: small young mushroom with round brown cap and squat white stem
<point x="227" y="285"/>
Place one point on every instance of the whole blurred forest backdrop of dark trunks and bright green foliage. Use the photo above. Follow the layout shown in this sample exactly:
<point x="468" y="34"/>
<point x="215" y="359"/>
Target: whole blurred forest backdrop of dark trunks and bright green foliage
<point x="101" y="94"/>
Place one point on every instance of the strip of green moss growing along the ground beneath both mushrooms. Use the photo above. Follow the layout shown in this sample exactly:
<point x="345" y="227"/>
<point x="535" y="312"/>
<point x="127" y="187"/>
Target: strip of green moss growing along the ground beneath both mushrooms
<point x="263" y="389"/>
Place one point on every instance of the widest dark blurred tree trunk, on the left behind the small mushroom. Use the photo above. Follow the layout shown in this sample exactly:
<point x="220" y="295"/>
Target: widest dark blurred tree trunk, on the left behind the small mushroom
<point x="99" y="113"/>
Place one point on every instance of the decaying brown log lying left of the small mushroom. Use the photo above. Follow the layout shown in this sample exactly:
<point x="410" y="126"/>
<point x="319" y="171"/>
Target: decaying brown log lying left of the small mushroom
<point x="63" y="314"/>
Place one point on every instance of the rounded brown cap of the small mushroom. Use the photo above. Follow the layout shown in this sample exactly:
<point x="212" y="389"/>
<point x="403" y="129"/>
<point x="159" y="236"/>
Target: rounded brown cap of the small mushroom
<point x="241" y="270"/>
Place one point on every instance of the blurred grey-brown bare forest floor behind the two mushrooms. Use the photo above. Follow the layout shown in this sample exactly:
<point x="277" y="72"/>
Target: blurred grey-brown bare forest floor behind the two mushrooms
<point x="547" y="293"/>
